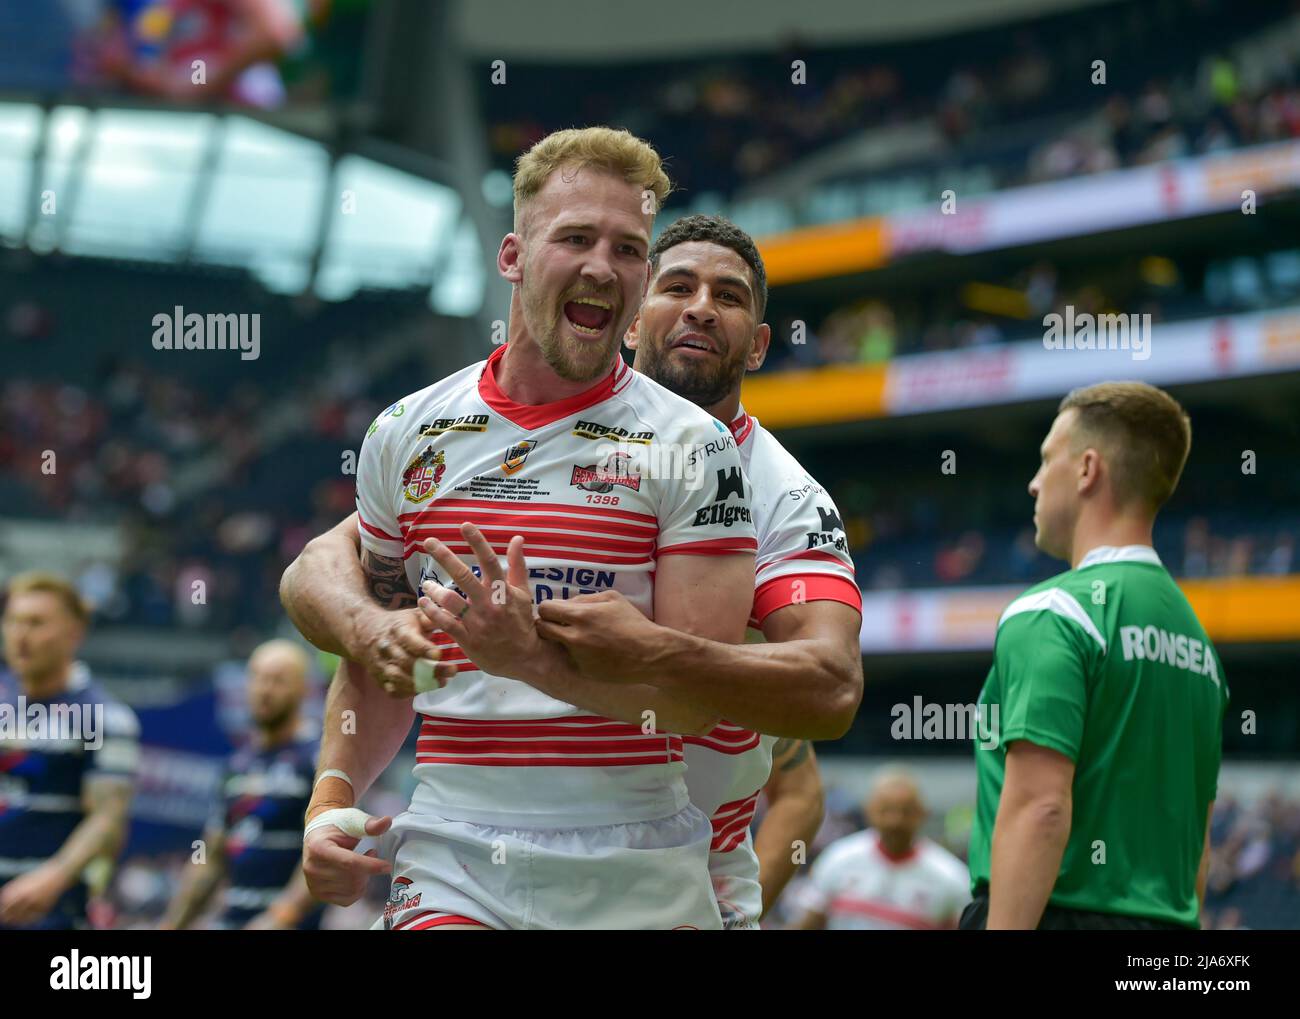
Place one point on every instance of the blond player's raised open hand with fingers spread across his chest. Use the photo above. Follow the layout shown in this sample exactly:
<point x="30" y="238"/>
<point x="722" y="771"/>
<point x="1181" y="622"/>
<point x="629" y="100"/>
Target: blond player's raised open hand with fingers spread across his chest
<point x="495" y="622"/>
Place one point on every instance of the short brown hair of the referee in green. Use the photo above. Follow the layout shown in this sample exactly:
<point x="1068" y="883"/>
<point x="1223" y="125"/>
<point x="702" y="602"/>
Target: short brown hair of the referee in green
<point x="1145" y="432"/>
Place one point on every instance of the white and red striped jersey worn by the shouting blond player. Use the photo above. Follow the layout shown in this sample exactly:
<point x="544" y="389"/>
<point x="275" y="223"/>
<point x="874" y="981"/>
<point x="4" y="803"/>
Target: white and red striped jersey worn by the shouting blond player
<point x="590" y="483"/>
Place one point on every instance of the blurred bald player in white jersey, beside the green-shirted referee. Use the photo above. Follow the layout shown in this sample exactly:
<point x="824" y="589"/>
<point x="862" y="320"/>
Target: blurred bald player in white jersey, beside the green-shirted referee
<point x="890" y="877"/>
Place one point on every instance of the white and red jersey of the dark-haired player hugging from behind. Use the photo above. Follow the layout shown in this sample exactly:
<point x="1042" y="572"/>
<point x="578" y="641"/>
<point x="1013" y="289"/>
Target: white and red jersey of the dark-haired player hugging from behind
<point x="803" y="557"/>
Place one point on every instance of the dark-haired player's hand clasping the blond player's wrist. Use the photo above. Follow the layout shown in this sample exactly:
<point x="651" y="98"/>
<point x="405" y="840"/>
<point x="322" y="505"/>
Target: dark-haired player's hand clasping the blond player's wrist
<point x="606" y="636"/>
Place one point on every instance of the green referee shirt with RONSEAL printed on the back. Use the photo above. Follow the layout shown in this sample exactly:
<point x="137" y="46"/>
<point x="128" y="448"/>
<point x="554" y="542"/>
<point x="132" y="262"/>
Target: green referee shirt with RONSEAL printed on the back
<point x="1110" y="666"/>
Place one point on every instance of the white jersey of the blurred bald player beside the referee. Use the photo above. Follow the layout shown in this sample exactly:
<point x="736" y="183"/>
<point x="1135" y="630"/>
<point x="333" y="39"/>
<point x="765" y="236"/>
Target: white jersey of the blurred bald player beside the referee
<point x="860" y="887"/>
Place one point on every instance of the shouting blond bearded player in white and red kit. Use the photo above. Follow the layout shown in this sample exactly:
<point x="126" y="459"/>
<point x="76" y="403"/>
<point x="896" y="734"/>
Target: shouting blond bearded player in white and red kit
<point x="531" y="813"/>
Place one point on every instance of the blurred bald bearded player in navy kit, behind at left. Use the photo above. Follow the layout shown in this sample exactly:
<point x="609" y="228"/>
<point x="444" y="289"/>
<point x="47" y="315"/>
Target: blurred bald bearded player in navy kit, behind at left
<point x="255" y="836"/>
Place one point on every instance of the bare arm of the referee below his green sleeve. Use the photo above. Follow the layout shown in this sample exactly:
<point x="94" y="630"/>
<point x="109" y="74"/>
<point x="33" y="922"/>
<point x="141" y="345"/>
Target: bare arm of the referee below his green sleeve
<point x="1029" y="843"/>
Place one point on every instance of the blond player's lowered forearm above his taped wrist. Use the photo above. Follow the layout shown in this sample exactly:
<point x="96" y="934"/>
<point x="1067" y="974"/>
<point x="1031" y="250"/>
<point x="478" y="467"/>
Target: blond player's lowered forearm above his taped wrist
<point x="362" y="732"/>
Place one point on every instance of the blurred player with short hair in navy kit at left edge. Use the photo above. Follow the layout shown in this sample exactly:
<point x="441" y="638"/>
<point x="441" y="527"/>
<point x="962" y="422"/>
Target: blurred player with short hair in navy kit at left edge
<point x="64" y="790"/>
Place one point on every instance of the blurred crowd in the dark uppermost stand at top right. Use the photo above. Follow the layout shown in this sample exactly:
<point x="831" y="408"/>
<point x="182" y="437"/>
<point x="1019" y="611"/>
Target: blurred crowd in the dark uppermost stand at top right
<point x="729" y="123"/>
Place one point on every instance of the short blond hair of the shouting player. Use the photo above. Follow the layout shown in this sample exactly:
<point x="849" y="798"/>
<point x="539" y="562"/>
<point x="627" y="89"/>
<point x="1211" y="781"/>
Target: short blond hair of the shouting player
<point x="616" y="151"/>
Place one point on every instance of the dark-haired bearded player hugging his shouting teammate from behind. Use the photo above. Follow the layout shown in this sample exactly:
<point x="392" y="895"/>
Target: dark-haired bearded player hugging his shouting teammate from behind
<point x="700" y="329"/>
